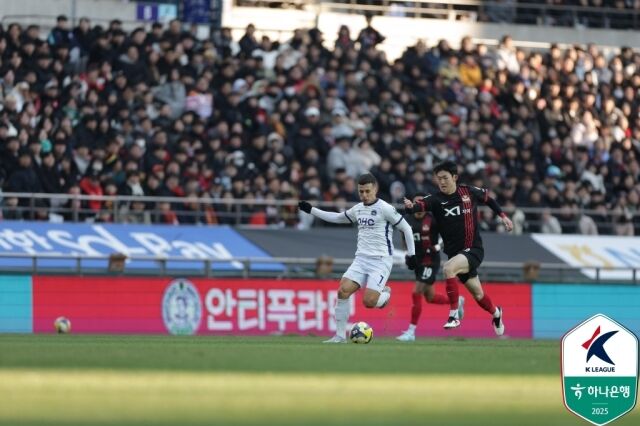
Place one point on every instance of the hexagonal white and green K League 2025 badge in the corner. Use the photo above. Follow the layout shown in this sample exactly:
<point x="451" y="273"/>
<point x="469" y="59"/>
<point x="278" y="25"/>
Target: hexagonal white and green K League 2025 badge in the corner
<point x="600" y="370"/>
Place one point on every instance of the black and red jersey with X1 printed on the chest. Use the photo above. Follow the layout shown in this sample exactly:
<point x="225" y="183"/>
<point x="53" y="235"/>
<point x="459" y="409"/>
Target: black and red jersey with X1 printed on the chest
<point x="457" y="217"/>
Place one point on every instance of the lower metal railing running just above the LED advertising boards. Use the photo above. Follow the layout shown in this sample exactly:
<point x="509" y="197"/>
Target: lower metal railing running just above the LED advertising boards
<point x="291" y="267"/>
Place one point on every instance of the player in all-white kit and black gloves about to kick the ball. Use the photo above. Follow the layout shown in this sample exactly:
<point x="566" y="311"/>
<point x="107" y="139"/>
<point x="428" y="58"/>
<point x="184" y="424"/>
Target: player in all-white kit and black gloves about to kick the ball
<point x="374" y="257"/>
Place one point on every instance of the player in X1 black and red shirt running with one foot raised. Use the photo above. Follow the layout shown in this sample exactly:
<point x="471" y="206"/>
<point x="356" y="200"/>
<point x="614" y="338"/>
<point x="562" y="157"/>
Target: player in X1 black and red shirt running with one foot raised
<point x="455" y="209"/>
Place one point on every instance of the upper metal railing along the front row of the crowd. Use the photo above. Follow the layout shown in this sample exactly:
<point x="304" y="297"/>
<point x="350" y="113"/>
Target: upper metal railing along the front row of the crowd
<point x="75" y="208"/>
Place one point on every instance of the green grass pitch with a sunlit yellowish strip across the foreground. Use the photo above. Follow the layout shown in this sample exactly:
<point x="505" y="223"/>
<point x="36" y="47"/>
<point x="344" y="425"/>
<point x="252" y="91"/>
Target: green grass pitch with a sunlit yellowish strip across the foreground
<point x="163" y="380"/>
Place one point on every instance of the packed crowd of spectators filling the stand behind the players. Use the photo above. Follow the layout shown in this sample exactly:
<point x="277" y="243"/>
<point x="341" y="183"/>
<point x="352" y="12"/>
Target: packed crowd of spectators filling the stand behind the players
<point x="101" y="111"/>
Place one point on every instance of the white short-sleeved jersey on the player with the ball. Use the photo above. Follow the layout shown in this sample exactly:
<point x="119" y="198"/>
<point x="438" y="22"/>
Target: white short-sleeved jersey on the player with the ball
<point x="375" y="227"/>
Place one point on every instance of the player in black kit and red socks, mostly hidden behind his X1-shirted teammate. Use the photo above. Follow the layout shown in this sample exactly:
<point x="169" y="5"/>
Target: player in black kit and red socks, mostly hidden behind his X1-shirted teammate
<point x="425" y="237"/>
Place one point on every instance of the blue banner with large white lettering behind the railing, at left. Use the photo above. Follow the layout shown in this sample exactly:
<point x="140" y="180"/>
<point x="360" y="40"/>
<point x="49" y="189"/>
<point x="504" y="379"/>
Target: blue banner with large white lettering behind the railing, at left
<point x="188" y="243"/>
